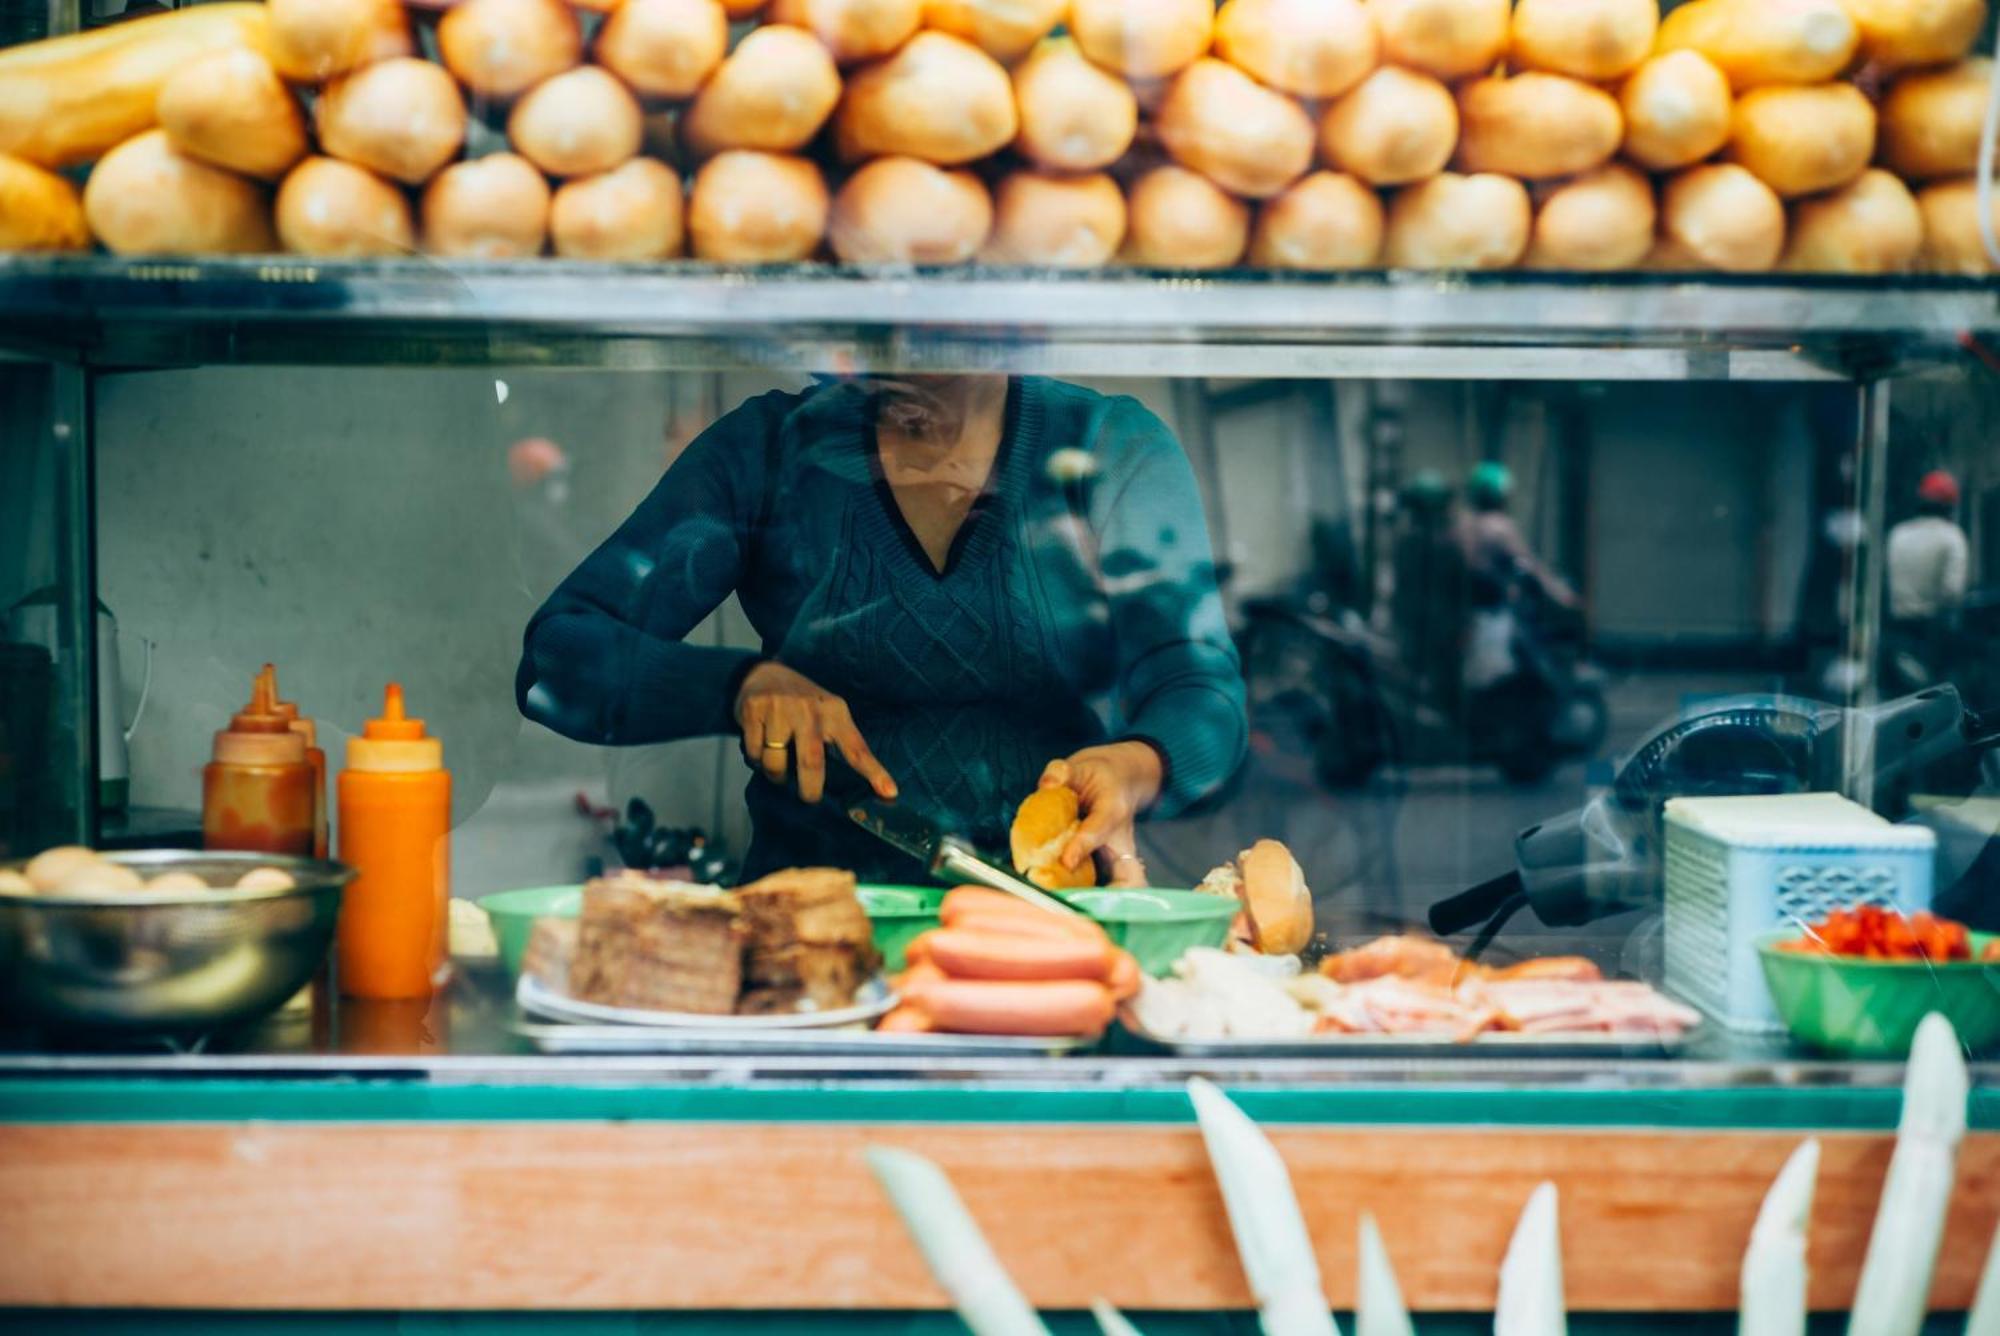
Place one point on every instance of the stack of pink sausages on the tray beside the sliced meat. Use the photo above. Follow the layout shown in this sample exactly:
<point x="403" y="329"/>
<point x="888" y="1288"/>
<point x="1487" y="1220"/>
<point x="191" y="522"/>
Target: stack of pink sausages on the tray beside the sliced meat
<point x="1003" y="967"/>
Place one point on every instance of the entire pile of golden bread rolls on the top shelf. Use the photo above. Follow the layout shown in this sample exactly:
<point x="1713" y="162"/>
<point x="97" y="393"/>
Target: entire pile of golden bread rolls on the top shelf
<point x="1305" y="135"/>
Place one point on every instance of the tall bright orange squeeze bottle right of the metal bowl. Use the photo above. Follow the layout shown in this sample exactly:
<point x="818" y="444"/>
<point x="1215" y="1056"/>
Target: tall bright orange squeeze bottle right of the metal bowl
<point x="395" y="831"/>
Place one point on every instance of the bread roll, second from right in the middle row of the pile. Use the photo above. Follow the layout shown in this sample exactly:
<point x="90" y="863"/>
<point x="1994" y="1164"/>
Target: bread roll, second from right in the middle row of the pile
<point x="1803" y="141"/>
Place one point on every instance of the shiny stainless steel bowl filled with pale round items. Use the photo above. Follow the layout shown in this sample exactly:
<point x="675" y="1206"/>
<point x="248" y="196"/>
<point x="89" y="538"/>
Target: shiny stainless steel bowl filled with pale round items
<point x="169" y="963"/>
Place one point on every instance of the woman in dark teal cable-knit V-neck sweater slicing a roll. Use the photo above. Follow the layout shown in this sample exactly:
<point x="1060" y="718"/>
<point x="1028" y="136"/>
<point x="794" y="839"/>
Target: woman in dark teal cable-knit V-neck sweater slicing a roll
<point x="965" y="587"/>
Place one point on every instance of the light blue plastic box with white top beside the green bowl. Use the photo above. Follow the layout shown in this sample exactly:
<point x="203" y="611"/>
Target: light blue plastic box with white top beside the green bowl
<point x="1743" y="867"/>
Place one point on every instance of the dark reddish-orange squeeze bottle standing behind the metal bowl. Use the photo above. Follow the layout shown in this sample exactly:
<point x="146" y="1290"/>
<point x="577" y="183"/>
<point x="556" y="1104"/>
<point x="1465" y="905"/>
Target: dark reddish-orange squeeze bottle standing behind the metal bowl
<point x="257" y="793"/>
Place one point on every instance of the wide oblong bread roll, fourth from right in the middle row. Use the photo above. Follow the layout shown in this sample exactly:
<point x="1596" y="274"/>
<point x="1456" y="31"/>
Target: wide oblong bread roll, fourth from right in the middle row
<point x="1537" y="127"/>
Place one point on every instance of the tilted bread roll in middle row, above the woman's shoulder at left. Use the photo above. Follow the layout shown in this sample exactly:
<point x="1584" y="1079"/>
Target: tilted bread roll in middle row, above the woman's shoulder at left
<point x="773" y="93"/>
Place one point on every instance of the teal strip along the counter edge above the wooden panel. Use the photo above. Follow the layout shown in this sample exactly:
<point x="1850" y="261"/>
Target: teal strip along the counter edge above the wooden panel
<point x="891" y="1103"/>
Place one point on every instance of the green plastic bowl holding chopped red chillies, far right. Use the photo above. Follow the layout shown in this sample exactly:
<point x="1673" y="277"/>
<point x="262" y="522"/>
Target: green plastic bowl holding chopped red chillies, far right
<point x="1871" y="1009"/>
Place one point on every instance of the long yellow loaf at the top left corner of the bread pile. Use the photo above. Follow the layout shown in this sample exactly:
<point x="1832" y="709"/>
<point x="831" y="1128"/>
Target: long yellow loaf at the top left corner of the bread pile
<point x="73" y="99"/>
